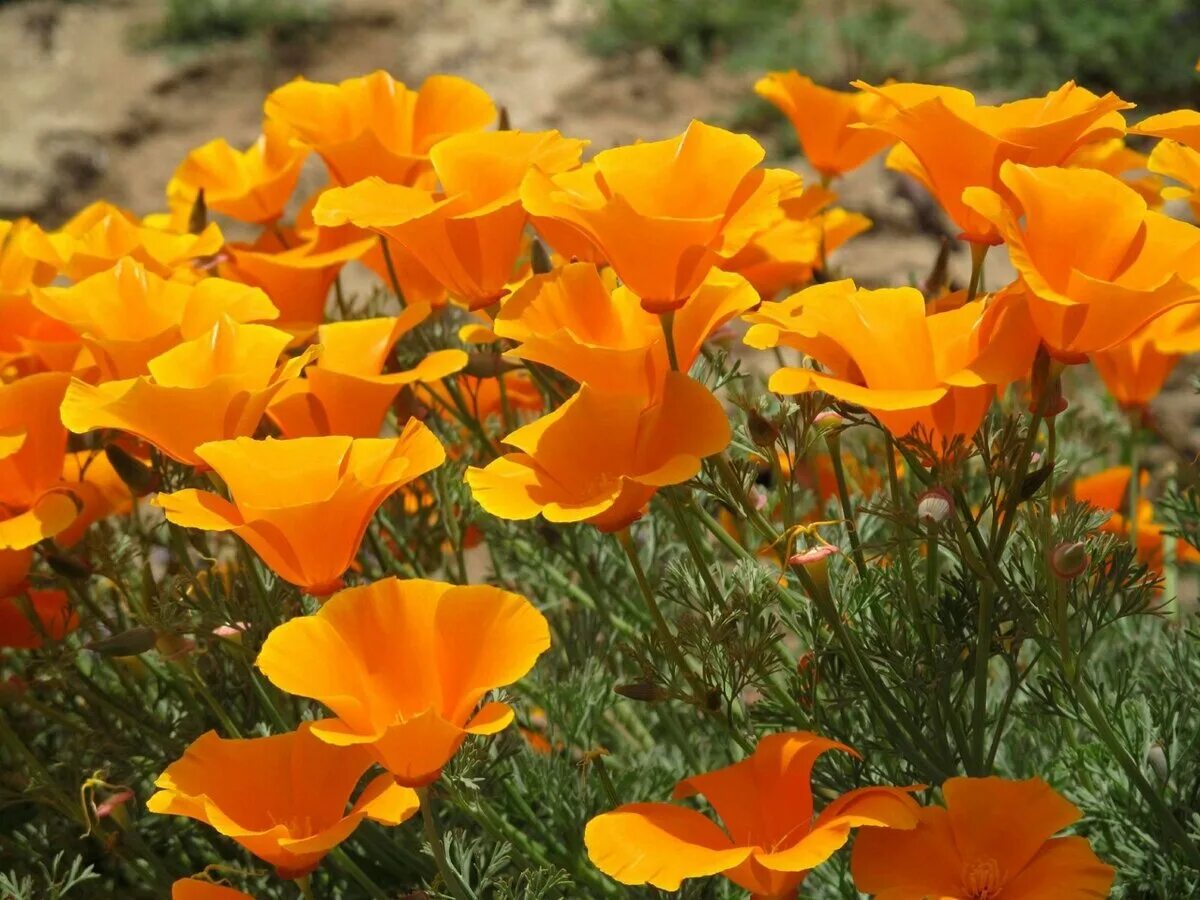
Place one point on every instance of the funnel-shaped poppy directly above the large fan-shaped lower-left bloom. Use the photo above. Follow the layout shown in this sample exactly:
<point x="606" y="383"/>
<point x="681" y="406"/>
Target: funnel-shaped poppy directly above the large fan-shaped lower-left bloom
<point x="304" y="505"/>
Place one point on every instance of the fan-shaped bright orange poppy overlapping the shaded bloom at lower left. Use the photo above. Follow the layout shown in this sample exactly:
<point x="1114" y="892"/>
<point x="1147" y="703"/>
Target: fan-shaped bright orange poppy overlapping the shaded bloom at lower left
<point x="404" y="665"/>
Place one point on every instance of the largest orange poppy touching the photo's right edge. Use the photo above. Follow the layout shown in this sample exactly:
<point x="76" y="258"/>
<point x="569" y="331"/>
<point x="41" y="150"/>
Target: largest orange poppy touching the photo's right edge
<point x="1096" y="263"/>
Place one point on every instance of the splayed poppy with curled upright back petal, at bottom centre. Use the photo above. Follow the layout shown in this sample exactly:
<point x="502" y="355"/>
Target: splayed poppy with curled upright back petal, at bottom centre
<point x="771" y="838"/>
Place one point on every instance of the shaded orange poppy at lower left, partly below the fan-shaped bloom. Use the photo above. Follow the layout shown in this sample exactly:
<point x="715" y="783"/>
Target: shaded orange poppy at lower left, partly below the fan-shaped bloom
<point x="284" y="799"/>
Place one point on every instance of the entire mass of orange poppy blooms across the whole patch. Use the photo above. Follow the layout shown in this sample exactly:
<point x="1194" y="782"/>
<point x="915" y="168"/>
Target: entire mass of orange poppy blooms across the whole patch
<point x="153" y="340"/>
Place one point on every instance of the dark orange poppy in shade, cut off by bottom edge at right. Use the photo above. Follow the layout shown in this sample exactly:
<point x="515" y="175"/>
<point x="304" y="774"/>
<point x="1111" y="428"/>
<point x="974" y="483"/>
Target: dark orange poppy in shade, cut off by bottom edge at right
<point x="993" y="839"/>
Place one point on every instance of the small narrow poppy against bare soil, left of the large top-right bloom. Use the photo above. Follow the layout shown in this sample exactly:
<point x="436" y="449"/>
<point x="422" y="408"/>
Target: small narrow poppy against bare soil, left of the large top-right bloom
<point x="823" y="119"/>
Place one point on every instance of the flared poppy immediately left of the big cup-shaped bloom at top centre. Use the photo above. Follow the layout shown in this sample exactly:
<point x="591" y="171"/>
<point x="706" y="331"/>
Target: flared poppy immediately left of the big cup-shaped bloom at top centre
<point x="469" y="235"/>
